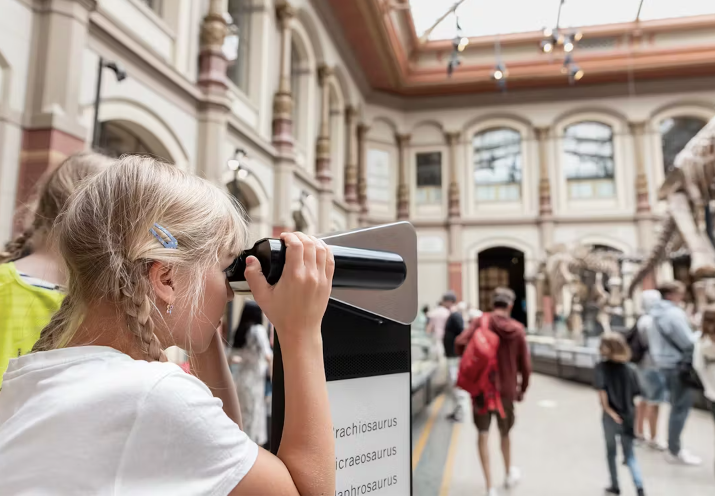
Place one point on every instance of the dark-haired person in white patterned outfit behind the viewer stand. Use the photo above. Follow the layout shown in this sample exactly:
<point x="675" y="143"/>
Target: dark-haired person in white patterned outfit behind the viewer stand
<point x="250" y="356"/>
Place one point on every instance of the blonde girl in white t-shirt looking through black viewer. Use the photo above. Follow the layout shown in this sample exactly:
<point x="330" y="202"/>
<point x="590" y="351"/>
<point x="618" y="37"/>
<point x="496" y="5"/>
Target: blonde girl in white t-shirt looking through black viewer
<point x="97" y="410"/>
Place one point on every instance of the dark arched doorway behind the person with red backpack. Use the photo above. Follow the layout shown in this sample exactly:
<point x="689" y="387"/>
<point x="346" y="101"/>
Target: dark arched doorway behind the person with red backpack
<point x="502" y="266"/>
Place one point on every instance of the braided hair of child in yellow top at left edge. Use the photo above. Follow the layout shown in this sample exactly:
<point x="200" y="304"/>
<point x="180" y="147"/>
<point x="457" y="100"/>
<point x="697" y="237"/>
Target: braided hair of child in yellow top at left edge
<point x="53" y="192"/>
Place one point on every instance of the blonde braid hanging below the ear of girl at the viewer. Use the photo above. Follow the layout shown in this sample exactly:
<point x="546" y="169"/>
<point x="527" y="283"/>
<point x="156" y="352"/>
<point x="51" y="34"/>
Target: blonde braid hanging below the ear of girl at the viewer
<point x="137" y="308"/>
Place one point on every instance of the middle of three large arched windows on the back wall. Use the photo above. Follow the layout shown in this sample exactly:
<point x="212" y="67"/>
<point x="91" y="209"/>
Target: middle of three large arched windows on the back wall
<point x="588" y="160"/>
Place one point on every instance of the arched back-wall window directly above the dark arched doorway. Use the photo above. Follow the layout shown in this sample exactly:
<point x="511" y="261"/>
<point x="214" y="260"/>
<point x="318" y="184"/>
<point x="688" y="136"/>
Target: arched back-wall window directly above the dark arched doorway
<point x="497" y="165"/>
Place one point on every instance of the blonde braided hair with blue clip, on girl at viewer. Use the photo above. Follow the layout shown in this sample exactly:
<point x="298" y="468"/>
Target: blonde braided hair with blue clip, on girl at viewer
<point x="104" y="237"/>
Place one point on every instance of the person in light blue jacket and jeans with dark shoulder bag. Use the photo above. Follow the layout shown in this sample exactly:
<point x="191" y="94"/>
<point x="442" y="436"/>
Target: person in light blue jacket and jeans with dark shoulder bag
<point x="670" y="343"/>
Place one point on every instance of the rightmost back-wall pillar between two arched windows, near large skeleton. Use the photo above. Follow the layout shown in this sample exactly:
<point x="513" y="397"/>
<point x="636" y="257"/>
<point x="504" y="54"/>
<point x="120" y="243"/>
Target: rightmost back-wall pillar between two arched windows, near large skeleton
<point x="644" y="221"/>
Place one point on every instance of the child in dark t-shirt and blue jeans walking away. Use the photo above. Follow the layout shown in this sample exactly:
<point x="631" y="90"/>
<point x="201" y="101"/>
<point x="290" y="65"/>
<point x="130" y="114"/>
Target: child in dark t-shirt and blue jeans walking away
<point x="617" y="385"/>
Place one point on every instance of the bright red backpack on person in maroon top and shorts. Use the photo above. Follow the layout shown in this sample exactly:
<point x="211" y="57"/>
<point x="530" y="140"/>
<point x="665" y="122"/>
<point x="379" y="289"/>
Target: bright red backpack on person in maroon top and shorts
<point x="478" y="372"/>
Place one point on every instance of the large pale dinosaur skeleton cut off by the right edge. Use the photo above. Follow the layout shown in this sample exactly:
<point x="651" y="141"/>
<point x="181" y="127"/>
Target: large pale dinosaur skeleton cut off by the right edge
<point x="687" y="189"/>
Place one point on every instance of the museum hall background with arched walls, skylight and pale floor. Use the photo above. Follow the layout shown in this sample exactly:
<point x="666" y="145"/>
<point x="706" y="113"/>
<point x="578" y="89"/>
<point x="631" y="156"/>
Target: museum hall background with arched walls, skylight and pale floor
<point x="559" y="148"/>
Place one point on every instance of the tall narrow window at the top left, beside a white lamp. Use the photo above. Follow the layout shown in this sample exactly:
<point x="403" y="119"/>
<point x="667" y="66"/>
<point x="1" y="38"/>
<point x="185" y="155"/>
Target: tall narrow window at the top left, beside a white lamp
<point x="237" y="42"/>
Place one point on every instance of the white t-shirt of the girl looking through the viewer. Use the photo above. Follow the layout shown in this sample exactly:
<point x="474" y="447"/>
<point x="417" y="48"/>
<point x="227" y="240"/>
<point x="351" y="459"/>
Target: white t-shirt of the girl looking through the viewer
<point x="91" y="420"/>
